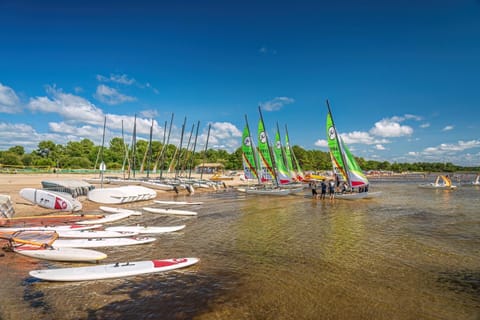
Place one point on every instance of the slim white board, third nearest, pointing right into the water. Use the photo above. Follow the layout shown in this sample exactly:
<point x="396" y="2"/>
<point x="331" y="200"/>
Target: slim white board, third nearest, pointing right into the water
<point x="100" y="242"/>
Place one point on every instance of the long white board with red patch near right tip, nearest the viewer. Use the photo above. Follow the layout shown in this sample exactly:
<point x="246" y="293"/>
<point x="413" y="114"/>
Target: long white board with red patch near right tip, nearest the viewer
<point x="115" y="270"/>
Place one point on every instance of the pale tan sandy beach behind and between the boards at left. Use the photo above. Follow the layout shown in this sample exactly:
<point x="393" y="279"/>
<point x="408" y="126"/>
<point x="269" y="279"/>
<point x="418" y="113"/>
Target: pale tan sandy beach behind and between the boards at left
<point x="11" y="184"/>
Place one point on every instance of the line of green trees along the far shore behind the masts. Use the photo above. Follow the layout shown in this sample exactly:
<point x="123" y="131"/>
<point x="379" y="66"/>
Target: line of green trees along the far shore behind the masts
<point x="85" y="154"/>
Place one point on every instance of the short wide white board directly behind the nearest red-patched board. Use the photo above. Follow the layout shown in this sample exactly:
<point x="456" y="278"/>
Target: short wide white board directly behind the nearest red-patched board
<point x="60" y="254"/>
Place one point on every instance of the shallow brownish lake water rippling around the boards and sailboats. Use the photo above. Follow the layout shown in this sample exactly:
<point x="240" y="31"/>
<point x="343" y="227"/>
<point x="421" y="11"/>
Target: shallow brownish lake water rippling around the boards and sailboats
<point x="410" y="254"/>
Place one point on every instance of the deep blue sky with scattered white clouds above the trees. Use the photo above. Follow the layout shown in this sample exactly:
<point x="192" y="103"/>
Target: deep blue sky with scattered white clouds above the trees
<point x="402" y="77"/>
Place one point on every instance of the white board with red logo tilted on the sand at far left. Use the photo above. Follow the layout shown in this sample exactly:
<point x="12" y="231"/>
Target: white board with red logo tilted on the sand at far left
<point x="61" y="201"/>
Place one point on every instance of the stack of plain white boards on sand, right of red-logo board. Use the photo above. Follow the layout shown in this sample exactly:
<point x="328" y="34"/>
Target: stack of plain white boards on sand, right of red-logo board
<point x="121" y="194"/>
